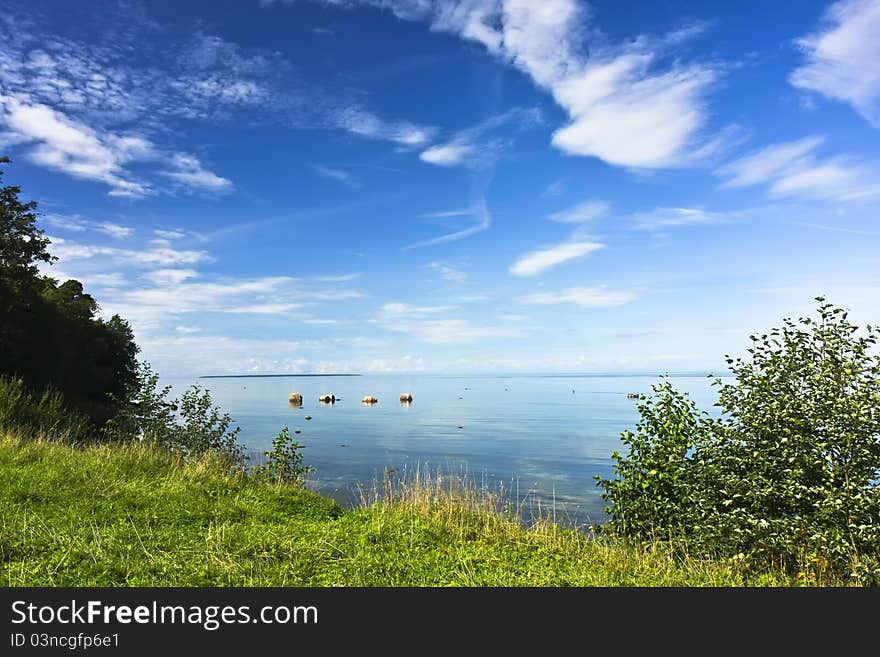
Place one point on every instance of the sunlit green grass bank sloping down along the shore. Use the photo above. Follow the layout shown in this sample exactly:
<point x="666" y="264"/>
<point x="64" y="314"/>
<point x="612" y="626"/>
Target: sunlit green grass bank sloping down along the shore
<point x="131" y="515"/>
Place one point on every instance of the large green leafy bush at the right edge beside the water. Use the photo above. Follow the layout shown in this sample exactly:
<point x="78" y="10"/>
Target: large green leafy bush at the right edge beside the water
<point x="790" y="473"/>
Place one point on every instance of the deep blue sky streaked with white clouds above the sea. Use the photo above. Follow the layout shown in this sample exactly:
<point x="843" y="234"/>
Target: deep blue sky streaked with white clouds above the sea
<point x="460" y="186"/>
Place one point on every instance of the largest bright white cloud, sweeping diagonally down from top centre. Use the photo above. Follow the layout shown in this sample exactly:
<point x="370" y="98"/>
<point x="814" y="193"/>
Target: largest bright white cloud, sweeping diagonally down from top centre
<point x="624" y="106"/>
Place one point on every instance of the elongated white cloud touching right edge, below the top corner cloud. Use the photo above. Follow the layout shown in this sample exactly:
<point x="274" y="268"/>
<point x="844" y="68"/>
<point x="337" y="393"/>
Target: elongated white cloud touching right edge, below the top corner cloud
<point x="792" y="169"/>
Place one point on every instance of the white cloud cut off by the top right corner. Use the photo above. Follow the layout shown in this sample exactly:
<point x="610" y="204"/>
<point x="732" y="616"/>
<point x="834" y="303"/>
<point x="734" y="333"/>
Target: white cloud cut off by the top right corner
<point x="842" y="57"/>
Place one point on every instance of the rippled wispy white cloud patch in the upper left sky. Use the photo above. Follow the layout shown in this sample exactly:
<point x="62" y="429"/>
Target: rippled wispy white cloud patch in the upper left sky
<point x="87" y="110"/>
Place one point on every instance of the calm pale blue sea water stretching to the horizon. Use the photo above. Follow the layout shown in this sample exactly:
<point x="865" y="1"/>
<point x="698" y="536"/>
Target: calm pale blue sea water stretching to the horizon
<point x="539" y="438"/>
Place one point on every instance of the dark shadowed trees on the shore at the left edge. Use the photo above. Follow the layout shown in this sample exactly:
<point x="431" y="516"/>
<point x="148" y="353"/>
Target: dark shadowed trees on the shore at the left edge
<point x="50" y="335"/>
